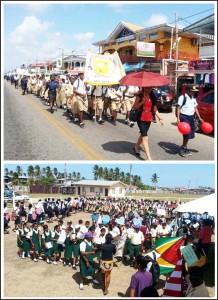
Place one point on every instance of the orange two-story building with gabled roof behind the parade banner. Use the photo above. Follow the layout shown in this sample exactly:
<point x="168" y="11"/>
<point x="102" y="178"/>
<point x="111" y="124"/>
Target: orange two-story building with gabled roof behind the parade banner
<point x="125" y="38"/>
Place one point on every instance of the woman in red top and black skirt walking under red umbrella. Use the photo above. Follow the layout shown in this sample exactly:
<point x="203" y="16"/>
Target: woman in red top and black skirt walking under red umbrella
<point x="147" y="104"/>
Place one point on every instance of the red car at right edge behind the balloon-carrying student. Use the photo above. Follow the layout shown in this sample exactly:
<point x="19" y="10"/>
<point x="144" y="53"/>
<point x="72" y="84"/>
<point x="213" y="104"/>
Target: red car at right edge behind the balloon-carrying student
<point x="206" y="109"/>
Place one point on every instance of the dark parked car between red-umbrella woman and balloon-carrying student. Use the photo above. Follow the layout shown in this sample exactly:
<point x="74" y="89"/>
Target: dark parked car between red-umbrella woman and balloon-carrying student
<point x="164" y="98"/>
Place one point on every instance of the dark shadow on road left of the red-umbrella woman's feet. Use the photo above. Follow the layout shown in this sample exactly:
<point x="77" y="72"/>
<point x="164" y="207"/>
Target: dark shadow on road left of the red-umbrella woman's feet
<point x="120" y="147"/>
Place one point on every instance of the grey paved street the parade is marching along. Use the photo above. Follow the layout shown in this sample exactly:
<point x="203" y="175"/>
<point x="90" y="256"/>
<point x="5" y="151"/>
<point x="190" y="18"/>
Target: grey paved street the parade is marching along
<point x="32" y="133"/>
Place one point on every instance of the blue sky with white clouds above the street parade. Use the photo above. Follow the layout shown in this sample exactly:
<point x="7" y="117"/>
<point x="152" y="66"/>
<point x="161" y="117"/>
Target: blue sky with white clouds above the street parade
<point x="35" y="30"/>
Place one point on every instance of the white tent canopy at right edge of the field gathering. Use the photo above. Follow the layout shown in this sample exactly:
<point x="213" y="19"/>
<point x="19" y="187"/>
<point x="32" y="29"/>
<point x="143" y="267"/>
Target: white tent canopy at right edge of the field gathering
<point x="201" y="205"/>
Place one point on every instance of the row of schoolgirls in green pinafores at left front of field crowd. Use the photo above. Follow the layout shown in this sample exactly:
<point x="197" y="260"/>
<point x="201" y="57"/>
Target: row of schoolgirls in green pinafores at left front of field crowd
<point x="39" y="241"/>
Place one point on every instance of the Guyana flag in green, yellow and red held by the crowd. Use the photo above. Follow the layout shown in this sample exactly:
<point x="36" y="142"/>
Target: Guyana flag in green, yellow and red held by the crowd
<point x="169" y="248"/>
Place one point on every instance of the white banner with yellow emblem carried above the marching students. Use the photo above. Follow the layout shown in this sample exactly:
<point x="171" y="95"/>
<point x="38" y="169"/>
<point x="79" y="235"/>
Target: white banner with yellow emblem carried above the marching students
<point x="103" y="69"/>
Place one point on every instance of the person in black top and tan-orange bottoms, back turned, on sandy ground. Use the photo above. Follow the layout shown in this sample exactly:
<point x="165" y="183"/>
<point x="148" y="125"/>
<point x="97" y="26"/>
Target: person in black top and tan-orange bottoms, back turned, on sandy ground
<point x="106" y="263"/>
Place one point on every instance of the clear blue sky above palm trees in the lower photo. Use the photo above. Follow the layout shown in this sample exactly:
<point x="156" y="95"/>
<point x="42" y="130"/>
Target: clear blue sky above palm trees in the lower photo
<point x="170" y="175"/>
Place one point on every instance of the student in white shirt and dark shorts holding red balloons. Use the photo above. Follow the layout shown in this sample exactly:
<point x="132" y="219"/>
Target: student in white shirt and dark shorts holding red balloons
<point x="186" y="110"/>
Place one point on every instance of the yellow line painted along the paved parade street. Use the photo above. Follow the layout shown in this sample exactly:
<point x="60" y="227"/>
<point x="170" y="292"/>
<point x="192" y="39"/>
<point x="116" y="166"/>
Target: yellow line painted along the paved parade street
<point x="90" y="153"/>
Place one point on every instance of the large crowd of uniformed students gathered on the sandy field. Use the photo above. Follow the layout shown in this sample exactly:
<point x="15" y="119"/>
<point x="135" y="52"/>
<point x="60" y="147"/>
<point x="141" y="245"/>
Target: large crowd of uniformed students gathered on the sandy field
<point x="121" y="229"/>
